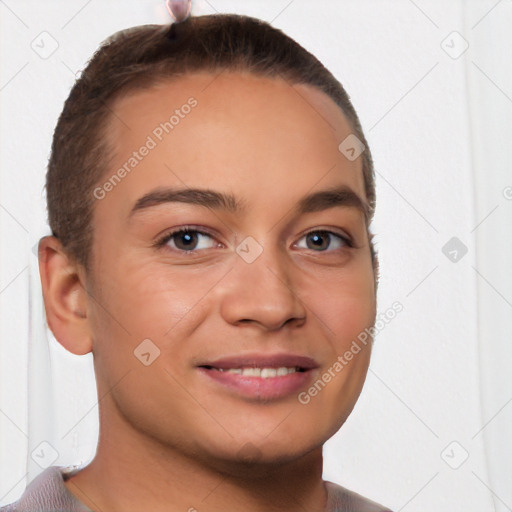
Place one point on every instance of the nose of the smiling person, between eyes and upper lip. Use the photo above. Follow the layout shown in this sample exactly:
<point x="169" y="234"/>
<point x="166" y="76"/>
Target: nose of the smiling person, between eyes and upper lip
<point x="263" y="292"/>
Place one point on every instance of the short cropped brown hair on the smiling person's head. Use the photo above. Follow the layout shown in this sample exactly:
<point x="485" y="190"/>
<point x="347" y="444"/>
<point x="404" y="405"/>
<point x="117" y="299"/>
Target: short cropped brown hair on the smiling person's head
<point x="139" y="57"/>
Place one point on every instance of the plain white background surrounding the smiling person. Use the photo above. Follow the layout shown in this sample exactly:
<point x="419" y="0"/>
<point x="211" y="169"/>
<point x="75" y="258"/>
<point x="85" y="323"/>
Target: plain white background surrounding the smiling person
<point x="439" y="128"/>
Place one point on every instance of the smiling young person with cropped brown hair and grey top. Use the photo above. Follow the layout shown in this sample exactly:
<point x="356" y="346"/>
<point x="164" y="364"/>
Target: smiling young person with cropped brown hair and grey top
<point x="209" y="193"/>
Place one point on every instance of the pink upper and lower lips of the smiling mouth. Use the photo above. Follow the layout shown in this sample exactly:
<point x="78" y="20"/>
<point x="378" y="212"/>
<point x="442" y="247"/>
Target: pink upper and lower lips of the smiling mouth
<point x="258" y="388"/>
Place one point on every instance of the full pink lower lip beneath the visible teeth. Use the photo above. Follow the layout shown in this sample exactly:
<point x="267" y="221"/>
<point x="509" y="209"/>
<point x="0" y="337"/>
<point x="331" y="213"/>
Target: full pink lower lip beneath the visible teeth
<point x="258" y="387"/>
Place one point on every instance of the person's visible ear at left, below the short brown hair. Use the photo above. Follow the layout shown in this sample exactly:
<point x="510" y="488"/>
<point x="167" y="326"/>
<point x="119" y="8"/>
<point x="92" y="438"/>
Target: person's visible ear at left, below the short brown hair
<point x="65" y="297"/>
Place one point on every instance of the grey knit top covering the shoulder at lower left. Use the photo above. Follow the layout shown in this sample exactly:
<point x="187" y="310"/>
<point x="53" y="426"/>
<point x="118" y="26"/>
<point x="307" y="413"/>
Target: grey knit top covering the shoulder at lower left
<point x="47" y="493"/>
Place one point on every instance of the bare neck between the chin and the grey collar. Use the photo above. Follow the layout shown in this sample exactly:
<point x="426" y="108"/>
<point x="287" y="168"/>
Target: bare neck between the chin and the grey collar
<point x="144" y="474"/>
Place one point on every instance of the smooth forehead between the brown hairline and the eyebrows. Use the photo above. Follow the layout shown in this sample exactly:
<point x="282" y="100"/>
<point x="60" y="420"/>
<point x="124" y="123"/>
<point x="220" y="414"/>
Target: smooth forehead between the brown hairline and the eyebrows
<point x="263" y="136"/>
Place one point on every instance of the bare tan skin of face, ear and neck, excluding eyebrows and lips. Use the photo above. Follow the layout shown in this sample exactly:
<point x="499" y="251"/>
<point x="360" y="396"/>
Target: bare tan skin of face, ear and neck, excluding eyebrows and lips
<point x="169" y="438"/>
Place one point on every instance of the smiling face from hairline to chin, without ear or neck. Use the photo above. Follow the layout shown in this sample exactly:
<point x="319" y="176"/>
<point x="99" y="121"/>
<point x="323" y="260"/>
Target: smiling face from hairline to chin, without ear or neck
<point x="190" y="290"/>
